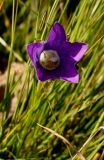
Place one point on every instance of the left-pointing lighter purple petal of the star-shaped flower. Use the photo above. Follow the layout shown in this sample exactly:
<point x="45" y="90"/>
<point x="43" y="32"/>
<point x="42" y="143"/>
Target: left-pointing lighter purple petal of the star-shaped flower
<point x="34" y="50"/>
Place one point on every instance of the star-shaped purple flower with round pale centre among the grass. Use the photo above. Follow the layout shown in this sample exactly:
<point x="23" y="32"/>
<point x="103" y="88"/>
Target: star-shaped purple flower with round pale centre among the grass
<point x="56" y="57"/>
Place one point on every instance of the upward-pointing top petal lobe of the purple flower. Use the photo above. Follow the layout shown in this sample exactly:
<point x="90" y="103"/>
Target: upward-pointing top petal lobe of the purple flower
<point x="57" y="33"/>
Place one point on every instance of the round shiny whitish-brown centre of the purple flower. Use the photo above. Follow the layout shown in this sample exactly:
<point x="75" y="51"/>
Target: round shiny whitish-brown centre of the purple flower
<point x="49" y="59"/>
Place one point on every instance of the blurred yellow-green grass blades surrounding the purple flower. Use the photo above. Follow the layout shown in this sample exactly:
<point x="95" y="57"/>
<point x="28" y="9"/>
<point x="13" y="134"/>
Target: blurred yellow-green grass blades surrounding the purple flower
<point x="54" y="119"/>
